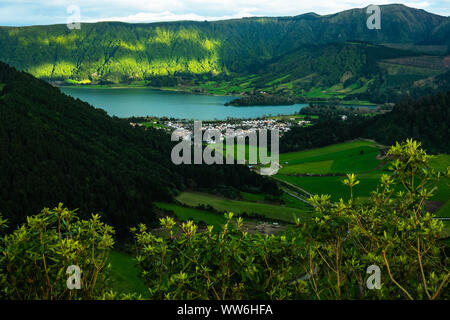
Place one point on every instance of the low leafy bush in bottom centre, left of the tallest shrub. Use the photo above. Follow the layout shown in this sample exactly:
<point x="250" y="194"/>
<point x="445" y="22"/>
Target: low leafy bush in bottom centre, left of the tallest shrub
<point x="228" y="265"/>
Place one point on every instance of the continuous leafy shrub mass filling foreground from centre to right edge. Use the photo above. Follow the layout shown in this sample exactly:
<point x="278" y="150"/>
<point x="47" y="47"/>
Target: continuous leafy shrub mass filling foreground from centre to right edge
<point x="326" y="258"/>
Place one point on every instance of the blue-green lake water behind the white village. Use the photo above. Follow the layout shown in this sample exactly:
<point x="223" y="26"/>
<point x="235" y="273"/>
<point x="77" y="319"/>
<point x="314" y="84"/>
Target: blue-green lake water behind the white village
<point x="127" y="102"/>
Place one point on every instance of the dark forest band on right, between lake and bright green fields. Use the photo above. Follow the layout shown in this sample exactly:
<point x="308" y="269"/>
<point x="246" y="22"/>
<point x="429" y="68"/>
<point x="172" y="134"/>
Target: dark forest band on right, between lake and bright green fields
<point x="426" y="118"/>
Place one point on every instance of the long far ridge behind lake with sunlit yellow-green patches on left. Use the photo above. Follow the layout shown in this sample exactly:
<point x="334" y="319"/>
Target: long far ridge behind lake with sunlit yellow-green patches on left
<point x="118" y="52"/>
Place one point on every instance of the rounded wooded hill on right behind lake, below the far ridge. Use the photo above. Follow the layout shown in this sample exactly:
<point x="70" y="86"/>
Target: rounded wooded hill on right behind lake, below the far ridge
<point x="350" y="70"/>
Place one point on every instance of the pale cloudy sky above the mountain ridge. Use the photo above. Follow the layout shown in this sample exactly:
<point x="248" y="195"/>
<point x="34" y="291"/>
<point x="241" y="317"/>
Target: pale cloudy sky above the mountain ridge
<point x="42" y="12"/>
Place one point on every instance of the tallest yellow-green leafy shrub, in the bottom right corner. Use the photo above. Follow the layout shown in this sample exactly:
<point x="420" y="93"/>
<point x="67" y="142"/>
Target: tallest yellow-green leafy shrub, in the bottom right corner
<point x="392" y="231"/>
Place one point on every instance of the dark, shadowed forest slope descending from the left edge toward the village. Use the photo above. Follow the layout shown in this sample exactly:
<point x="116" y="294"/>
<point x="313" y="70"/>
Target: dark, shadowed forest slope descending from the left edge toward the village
<point x="54" y="148"/>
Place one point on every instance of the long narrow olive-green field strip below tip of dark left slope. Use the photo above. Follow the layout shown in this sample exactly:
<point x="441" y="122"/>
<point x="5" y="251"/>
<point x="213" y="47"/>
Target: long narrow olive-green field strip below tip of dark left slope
<point x="271" y="211"/>
